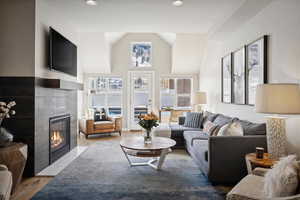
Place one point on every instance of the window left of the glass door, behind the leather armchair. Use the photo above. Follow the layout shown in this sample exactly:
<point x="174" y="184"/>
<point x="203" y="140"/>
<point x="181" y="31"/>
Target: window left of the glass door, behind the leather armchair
<point x="106" y="92"/>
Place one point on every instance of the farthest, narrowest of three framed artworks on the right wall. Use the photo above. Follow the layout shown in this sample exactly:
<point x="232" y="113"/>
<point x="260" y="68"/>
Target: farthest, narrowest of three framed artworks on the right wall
<point x="226" y="79"/>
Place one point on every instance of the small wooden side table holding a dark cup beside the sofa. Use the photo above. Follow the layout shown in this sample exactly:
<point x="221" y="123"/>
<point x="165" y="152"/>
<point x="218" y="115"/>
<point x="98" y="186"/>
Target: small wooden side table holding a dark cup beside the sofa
<point x="252" y="162"/>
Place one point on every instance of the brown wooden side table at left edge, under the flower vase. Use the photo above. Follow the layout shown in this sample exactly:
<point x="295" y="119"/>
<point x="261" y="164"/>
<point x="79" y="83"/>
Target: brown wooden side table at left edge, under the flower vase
<point x="14" y="157"/>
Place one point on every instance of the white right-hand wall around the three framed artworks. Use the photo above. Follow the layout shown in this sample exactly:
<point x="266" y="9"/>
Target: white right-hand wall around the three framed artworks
<point x="280" y="20"/>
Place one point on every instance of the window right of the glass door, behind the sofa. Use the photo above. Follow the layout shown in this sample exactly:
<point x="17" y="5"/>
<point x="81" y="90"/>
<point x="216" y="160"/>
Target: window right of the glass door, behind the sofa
<point x="175" y="92"/>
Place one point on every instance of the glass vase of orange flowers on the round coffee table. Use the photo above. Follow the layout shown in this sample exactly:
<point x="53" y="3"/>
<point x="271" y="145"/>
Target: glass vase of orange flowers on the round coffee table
<point x="147" y="122"/>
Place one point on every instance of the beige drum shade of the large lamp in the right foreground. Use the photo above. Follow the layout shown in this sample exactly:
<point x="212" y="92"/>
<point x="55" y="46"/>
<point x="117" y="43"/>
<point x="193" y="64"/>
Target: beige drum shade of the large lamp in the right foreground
<point x="278" y="98"/>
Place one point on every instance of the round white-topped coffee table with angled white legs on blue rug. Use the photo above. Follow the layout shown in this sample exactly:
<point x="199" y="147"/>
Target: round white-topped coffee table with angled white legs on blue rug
<point x="157" y="150"/>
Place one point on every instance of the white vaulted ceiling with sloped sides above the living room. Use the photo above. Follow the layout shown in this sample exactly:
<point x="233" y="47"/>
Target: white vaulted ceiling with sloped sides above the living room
<point x="190" y="25"/>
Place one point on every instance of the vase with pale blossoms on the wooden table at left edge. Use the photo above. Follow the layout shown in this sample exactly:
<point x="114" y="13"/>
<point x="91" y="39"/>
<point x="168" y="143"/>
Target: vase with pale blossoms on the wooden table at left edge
<point x="5" y="112"/>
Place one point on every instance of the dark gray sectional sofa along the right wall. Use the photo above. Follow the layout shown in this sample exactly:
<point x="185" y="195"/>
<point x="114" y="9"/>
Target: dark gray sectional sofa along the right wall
<point x="220" y="158"/>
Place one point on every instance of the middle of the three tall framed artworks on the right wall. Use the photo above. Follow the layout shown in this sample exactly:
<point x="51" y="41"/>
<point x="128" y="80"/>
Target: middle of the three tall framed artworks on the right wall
<point x="238" y="77"/>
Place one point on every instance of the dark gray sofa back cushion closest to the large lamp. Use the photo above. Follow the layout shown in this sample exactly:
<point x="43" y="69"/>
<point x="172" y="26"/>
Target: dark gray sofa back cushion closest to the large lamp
<point x="253" y="128"/>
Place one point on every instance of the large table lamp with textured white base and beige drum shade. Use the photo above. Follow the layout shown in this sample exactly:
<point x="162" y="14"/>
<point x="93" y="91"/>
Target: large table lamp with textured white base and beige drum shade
<point x="277" y="99"/>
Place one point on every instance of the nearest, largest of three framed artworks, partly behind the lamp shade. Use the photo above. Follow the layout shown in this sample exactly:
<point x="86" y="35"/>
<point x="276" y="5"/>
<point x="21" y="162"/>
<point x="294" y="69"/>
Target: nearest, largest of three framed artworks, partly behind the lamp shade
<point x="256" y="67"/>
